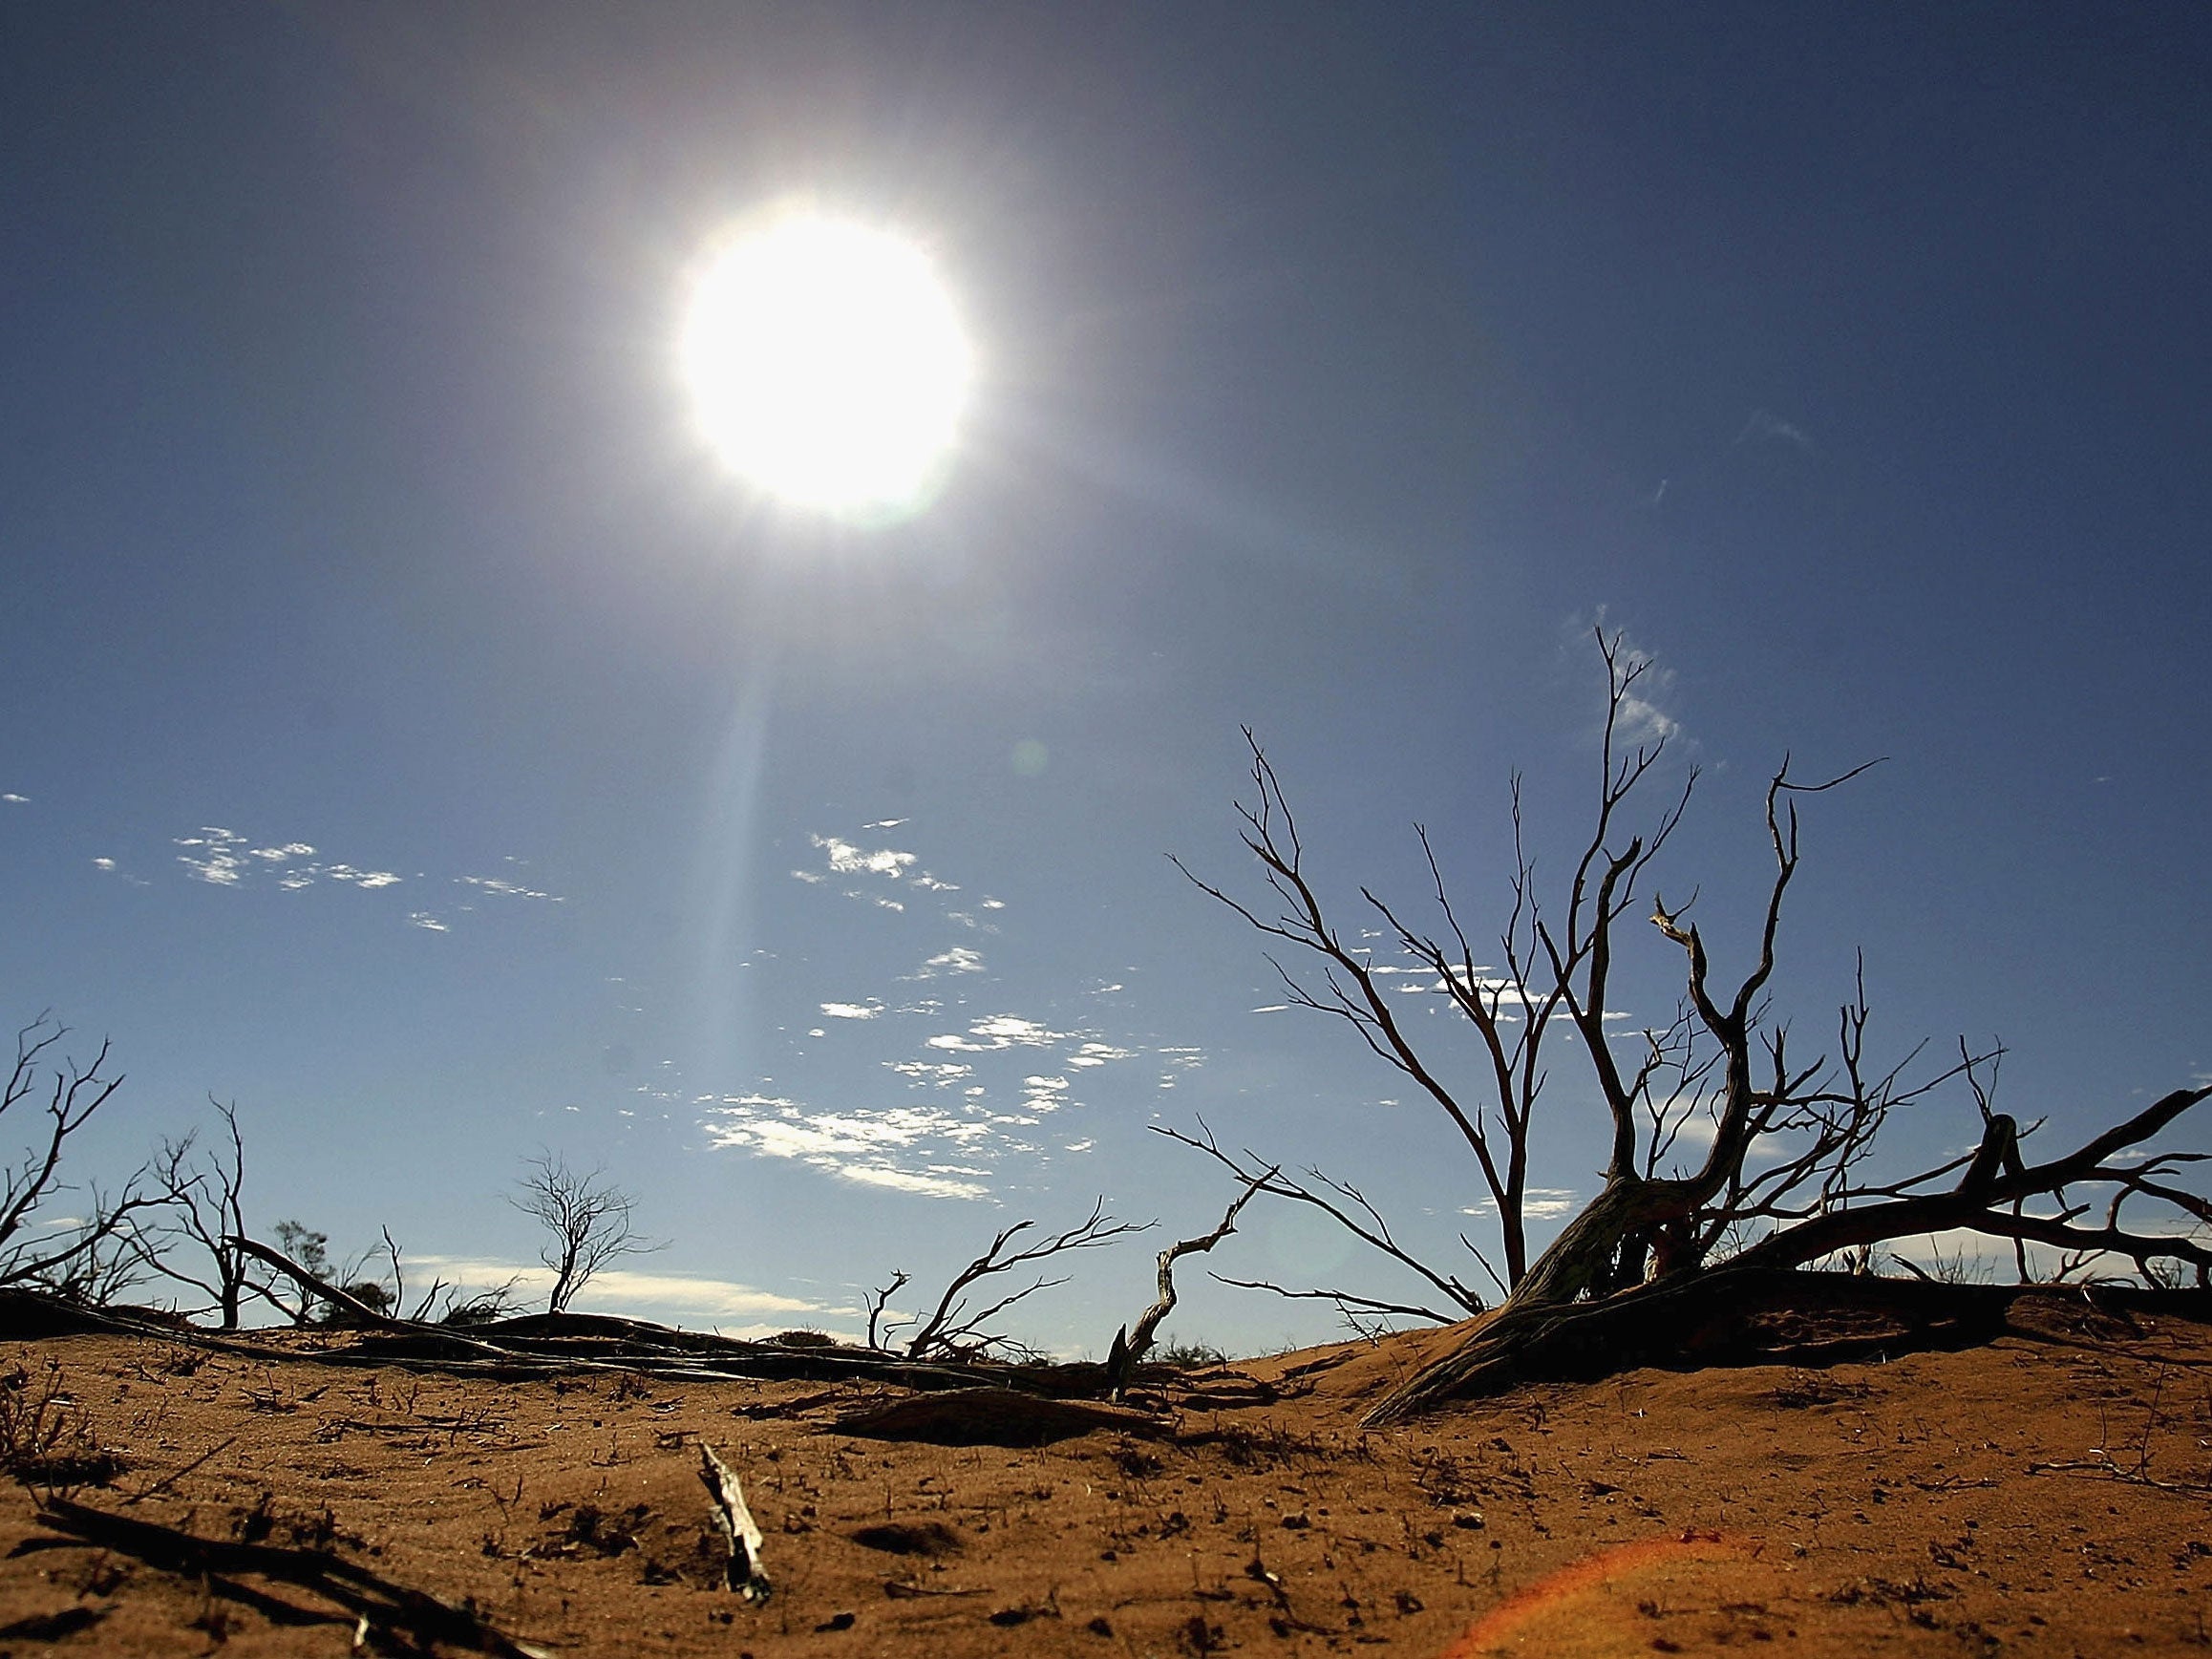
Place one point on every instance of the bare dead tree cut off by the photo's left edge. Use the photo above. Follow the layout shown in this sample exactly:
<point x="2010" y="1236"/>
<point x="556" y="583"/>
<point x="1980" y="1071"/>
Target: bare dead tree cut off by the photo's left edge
<point x="94" y="1260"/>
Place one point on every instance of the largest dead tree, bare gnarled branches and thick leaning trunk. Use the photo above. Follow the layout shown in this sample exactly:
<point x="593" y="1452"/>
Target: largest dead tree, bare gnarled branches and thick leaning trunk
<point x="1786" y="1176"/>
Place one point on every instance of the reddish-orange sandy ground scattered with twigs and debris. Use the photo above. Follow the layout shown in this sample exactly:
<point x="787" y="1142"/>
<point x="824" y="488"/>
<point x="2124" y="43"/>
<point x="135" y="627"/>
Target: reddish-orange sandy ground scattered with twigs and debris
<point x="2049" y="1494"/>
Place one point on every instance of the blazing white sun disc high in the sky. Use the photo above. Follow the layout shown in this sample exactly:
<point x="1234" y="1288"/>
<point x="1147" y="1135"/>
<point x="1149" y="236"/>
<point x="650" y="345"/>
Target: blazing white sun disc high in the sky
<point x="828" y="366"/>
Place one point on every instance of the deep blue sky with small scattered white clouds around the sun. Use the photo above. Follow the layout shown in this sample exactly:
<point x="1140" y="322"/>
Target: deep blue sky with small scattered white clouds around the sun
<point x="417" y="735"/>
